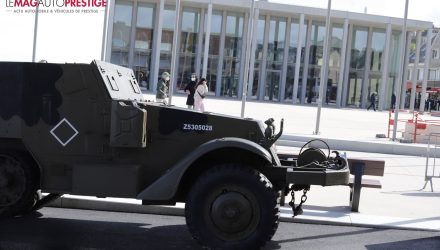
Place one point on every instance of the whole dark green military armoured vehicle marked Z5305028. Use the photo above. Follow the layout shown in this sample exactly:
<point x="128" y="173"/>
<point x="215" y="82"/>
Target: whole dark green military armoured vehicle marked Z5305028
<point x="86" y="129"/>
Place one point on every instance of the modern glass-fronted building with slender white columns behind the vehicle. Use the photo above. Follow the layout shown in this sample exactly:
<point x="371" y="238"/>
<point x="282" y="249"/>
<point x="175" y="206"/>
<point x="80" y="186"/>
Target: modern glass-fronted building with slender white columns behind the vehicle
<point x="287" y="49"/>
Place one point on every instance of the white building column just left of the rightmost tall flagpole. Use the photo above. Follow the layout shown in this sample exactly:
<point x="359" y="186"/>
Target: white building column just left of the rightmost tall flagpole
<point x="385" y="62"/>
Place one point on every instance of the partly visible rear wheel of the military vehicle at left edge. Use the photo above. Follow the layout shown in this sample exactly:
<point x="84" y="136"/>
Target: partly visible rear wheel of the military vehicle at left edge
<point x="18" y="188"/>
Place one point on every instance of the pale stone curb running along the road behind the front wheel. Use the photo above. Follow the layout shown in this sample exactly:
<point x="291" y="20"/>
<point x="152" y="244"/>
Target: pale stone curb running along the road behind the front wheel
<point x="342" y="219"/>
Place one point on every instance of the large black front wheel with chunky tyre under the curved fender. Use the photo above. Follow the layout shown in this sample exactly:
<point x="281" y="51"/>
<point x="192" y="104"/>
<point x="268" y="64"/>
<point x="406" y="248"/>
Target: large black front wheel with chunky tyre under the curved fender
<point x="232" y="207"/>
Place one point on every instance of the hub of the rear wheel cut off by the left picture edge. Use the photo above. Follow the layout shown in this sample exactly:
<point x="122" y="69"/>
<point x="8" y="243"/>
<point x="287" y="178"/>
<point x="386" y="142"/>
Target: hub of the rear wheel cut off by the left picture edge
<point x="12" y="181"/>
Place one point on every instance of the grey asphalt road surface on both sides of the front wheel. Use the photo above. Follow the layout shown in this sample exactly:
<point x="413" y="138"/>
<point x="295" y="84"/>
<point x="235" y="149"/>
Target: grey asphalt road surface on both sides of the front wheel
<point x="74" y="229"/>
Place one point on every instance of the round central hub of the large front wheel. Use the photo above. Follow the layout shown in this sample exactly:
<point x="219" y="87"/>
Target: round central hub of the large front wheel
<point x="231" y="212"/>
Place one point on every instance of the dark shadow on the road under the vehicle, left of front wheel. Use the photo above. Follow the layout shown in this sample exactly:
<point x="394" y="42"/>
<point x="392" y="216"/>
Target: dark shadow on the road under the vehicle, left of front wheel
<point x="34" y="232"/>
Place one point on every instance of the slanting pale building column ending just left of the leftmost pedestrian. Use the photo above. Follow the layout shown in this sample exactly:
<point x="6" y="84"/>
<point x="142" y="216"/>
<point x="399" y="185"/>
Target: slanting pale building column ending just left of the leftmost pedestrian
<point x="156" y="46"/>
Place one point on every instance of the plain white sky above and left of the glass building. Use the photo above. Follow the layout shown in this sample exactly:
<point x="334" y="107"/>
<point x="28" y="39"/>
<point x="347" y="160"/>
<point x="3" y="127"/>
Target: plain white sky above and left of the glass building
<point x="77" y="37"/>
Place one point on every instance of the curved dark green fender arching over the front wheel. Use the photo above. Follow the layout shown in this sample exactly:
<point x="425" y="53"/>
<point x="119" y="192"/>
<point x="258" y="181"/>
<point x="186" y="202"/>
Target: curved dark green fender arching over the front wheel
<point x="166" y="186"/>
